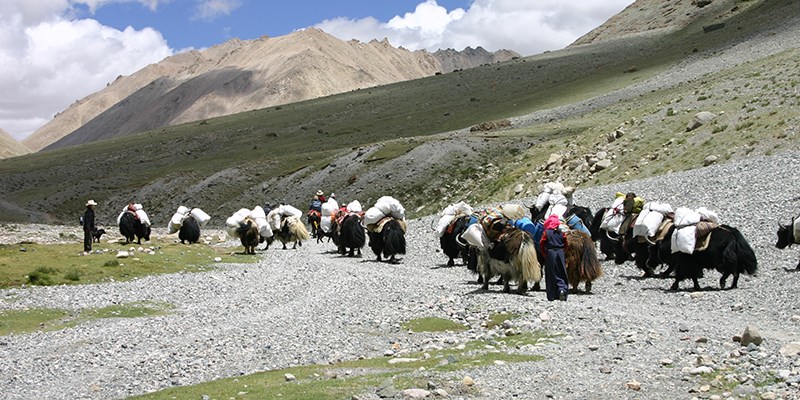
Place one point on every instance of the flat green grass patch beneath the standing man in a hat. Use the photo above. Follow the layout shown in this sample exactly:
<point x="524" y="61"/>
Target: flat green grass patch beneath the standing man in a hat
<point x="59" y="264"/>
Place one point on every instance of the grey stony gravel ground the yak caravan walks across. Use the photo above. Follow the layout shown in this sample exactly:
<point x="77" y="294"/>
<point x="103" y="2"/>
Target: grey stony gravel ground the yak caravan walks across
<point x="629" y="339"/>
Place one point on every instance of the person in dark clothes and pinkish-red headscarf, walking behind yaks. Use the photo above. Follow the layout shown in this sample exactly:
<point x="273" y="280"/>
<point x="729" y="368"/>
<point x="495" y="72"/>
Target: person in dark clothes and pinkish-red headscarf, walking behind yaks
<point x="555" y="271"/>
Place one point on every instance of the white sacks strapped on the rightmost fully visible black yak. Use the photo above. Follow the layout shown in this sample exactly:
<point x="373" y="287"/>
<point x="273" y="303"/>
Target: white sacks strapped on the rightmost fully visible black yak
<point x="691" y="226"/>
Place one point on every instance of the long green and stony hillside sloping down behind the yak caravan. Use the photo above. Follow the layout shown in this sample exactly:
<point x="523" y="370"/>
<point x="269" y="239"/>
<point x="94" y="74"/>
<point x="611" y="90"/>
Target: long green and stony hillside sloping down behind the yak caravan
<point x="721" y="86"/>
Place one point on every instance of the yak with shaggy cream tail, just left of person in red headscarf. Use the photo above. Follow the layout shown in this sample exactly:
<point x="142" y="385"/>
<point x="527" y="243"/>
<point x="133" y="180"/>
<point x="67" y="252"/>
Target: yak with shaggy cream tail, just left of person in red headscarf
<point x="513" y="257"/>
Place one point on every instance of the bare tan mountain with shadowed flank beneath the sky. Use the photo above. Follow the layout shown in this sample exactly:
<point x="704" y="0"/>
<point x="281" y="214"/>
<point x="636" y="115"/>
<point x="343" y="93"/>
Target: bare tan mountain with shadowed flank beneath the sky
<point x="239" y="76"/>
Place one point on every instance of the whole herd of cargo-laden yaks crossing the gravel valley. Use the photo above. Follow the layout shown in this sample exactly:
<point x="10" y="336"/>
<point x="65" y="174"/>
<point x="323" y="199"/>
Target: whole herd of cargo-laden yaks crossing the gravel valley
<point x="504" y="241"/>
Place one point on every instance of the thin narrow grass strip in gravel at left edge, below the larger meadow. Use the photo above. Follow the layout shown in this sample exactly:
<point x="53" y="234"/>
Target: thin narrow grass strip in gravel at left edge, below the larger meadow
<point x="31" y="320"/>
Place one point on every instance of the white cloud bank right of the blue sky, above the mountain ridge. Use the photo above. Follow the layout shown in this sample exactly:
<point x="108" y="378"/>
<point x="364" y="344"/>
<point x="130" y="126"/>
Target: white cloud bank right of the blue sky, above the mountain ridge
<point x="526" y="26"/>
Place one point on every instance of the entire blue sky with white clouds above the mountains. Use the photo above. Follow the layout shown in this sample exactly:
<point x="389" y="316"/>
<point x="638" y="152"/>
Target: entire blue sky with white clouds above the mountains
<point x="55" y="52"/>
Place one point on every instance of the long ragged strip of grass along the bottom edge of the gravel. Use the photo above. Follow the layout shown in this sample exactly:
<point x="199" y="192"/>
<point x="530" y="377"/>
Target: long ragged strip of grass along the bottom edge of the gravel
<point x="346" y="379"/>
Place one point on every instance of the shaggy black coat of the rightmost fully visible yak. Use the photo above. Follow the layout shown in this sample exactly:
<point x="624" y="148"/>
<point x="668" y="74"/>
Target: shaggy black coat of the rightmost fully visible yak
<point x="728" y="252"/>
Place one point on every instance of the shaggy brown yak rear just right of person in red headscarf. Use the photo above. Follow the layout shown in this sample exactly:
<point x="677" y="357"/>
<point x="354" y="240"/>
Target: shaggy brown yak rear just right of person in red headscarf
<point x="581" y="259"/>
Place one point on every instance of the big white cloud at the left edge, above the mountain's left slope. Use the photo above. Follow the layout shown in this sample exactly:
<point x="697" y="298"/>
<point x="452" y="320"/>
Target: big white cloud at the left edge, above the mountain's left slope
<point x="48" y="60"/>
